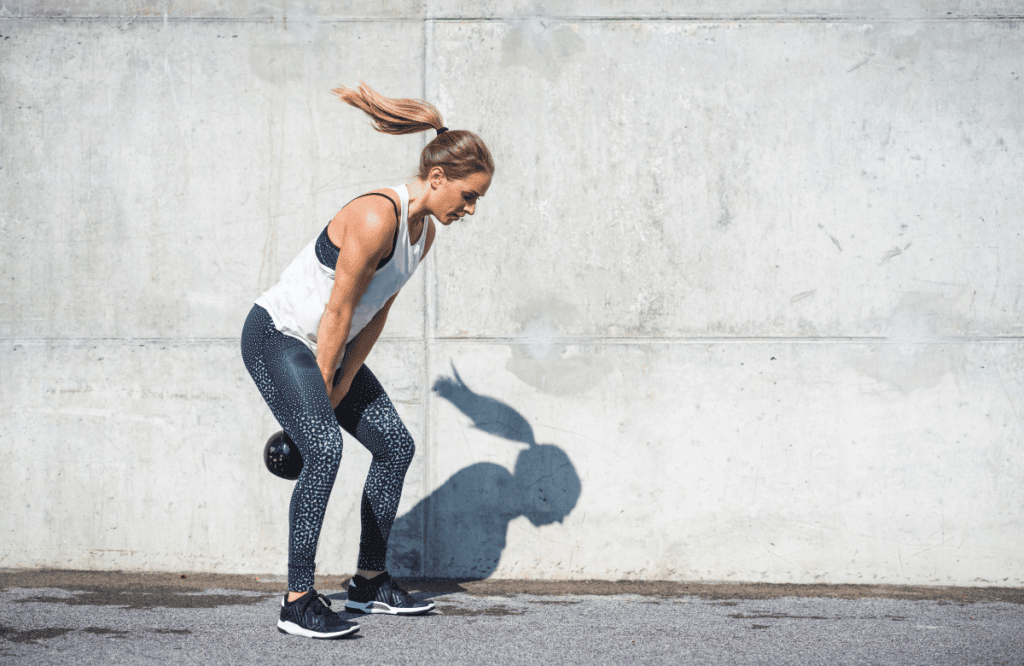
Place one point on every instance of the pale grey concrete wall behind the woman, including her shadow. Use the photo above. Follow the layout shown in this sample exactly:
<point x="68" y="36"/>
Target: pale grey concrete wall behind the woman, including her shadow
<point x="744" y="303"/>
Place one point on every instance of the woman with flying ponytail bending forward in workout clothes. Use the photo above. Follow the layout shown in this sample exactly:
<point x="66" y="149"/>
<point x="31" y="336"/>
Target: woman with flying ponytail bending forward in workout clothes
<point x="307" y="339"/>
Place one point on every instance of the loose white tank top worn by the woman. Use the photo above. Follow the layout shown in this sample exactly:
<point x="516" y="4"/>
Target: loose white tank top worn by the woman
<point x="296" y="304"/>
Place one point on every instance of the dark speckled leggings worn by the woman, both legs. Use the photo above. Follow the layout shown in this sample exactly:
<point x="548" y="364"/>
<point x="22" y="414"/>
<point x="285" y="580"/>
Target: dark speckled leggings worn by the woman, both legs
<point x="287" y="374"/>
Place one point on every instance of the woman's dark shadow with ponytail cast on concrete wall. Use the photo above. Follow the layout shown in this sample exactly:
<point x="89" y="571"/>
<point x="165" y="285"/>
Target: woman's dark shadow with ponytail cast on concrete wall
<point x="459" y="530"/>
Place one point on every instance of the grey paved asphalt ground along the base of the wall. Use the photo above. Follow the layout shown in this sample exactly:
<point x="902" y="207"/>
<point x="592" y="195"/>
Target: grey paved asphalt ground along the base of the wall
<point x="113" y="618"/>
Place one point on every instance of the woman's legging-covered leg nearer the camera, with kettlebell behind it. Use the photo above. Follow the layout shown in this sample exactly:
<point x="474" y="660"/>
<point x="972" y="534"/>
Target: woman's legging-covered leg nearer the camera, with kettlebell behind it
<point x="287" y="376"/>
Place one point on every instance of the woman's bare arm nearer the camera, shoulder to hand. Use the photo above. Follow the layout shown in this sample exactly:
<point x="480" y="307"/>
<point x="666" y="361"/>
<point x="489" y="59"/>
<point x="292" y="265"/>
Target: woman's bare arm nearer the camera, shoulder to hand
<point x="364" y="232"/>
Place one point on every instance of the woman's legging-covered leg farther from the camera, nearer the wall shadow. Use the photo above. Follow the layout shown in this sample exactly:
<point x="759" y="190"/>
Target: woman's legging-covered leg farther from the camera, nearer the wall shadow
<point x="368" y="414"/>
